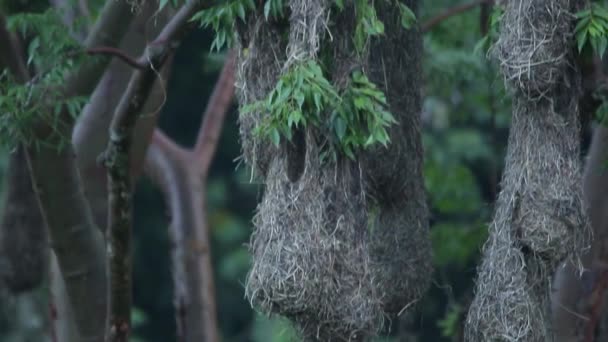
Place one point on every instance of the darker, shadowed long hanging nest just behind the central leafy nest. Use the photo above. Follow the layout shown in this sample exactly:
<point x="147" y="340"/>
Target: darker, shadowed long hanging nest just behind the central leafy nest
<point x="401" y="250"/>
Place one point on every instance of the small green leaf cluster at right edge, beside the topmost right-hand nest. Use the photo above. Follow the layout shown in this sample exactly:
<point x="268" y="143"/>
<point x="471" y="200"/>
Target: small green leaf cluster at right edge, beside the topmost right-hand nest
<point x="592" y="28"/>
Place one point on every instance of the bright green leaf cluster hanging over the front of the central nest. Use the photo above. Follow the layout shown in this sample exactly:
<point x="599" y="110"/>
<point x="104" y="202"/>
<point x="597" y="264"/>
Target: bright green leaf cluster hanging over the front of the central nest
<point x="354" y="119"/>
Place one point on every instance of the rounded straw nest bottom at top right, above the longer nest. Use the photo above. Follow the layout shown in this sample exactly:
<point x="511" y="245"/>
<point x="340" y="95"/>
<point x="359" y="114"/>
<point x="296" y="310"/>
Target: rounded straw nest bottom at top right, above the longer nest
<point x="534" y="44"/>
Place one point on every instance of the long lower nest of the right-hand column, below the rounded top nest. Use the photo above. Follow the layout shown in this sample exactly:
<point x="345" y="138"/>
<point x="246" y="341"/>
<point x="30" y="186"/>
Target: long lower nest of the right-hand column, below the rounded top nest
<point x="540" y="221"/>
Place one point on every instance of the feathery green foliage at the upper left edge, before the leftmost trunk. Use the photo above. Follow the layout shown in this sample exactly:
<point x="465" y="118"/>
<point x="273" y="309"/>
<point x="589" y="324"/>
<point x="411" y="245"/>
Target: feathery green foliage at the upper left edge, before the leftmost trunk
<point x="53" y="54"/>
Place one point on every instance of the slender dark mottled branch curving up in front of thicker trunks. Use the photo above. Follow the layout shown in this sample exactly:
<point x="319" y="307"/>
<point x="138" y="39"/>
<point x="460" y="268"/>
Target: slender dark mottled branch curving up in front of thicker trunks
<point x="118" y="158"/>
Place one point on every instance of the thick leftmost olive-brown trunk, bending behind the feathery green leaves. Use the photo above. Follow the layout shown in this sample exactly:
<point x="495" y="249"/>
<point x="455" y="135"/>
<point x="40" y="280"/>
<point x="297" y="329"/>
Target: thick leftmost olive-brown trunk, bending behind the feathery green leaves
<point x="75" y="238"/>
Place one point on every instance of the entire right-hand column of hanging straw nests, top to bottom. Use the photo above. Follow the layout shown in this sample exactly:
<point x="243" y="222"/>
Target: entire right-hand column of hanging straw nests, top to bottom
<point x="540" y="218"/>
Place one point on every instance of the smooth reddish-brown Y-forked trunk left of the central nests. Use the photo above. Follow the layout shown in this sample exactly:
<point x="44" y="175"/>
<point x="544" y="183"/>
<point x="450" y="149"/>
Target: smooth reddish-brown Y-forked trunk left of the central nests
<point x="181" y="174"/>
